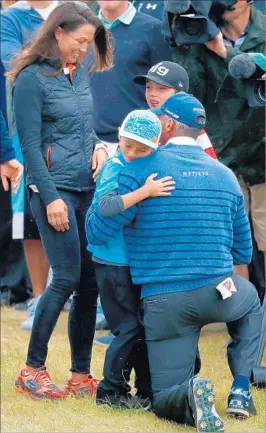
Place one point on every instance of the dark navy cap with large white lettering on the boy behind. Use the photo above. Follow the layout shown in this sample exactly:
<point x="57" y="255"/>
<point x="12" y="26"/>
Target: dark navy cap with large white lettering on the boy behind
<point x="168" y="74"/>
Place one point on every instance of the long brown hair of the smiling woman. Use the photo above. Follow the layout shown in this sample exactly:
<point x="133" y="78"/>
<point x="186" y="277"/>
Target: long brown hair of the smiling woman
<point x="69" y="16"/>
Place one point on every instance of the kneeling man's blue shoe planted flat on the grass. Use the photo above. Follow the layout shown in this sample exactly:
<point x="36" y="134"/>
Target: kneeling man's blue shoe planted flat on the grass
<point x="241" y="404"/>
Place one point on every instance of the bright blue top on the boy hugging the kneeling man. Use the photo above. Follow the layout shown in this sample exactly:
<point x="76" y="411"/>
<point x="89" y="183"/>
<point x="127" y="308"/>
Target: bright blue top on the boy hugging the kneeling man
<point x="113" y="252"/>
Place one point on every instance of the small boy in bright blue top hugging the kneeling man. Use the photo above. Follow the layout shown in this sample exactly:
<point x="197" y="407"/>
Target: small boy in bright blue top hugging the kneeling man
<point x="139" y="137"/>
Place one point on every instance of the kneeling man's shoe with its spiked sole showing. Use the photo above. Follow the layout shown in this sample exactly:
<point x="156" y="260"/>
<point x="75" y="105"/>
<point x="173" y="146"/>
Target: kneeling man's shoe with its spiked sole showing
<point x="202" y="399"/>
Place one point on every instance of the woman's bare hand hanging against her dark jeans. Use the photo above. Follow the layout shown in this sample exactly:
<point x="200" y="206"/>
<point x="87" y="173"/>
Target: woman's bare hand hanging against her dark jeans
<point x="57" y="214"/>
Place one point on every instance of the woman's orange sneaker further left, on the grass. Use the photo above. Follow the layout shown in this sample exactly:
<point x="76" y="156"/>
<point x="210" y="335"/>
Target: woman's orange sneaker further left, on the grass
<point x="38" y="385"/>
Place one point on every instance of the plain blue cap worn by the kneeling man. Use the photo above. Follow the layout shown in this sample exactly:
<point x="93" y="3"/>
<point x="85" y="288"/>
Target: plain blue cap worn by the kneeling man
<point x="185" y="109"/>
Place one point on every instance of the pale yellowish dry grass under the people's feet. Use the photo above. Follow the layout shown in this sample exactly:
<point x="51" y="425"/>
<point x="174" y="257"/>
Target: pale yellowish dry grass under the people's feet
<point x="21" y="414"/>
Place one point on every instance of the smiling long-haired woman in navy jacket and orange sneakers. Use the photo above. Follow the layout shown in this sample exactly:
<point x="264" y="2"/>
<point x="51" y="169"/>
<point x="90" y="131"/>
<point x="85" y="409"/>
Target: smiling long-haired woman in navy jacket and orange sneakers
<point x="53" y="109"/>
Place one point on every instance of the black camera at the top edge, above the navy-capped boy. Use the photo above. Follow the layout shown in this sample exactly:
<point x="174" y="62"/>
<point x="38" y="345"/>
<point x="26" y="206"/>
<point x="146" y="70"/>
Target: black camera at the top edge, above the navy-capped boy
<point x="195" y="21"/>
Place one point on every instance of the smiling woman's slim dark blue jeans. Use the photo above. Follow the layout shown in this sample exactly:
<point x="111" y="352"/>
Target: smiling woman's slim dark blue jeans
<point x="73" y="271"/>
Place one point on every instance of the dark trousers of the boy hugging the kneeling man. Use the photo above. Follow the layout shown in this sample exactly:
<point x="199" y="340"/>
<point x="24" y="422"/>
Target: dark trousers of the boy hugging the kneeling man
<point x="120" y="300"/>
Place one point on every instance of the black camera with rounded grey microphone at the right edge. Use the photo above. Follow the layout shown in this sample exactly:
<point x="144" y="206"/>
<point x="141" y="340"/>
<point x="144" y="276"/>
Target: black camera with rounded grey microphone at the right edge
<point x="250" y="68"/>
